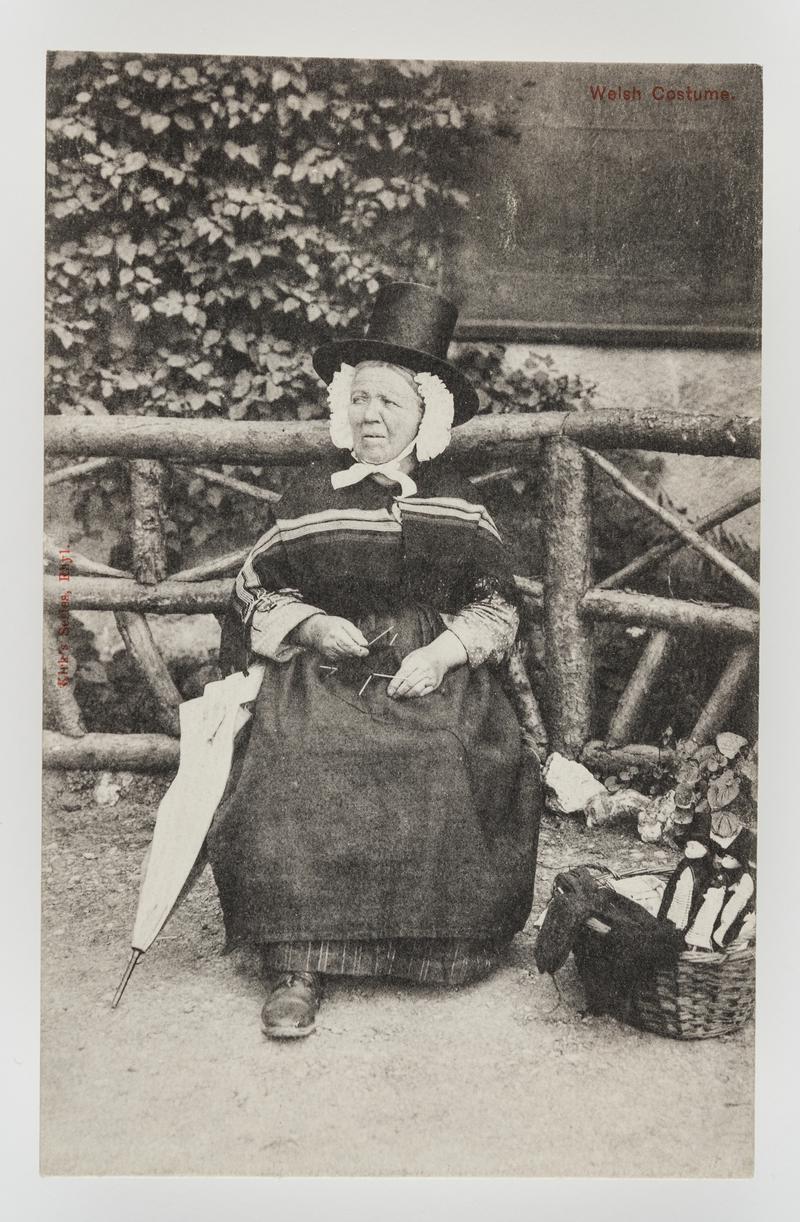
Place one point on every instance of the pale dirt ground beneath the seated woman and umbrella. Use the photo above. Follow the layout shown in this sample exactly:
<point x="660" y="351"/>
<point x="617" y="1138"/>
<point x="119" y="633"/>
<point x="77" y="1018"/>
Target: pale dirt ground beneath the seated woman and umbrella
<point x="503" y="1078"/>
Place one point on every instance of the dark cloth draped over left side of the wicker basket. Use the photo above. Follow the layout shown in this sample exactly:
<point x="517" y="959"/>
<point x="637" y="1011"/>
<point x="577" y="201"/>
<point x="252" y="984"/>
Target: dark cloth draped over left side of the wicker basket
<point x="637" y="944"/>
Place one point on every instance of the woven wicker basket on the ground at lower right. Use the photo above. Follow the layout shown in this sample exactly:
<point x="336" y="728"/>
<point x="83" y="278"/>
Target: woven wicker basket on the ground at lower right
<point x="705" y="994"/>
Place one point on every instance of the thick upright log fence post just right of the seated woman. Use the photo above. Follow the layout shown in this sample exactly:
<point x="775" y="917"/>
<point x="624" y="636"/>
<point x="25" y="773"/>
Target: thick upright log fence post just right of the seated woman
<point x="569" y="640"/>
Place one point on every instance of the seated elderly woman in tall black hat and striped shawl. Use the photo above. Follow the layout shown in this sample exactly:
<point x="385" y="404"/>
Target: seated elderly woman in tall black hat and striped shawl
<point x="382" y="819"/>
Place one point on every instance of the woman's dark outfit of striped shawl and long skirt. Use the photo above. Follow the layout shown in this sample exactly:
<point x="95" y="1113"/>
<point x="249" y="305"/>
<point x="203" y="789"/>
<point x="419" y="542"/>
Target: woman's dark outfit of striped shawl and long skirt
<point x="362" y="833"/>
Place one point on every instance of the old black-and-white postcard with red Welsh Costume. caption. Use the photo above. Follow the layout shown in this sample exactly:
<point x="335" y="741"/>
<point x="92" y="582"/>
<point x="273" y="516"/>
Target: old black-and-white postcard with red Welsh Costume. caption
<point x="401" y="616"/>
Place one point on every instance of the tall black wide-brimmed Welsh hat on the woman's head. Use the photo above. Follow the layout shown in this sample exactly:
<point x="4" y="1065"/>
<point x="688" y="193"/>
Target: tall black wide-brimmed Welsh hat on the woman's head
<point x="411" y="327"/>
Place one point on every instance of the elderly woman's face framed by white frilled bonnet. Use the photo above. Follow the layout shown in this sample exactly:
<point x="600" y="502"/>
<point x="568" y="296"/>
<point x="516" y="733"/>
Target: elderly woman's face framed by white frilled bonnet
<point x="385" y="414"/>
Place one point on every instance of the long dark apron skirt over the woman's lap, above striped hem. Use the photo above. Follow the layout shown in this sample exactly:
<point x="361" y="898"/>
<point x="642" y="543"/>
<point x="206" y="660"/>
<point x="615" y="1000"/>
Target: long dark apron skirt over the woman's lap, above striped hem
<point x="363" y="818"/>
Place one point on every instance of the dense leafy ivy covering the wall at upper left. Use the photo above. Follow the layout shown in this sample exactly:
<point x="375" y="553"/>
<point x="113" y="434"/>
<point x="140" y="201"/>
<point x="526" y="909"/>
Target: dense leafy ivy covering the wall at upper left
<point x="212" y="221"/>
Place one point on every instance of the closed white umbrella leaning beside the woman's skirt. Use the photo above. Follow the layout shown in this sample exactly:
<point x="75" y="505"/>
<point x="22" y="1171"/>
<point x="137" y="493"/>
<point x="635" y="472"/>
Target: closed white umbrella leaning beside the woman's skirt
<point x="209" y="726"/>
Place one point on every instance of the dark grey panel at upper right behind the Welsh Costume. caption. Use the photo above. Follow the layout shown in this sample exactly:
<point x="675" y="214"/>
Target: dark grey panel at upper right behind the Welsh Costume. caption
<point x="639" y="212"/>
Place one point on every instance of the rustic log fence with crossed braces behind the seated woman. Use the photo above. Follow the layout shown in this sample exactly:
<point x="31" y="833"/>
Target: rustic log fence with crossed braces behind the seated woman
<point x="565" y="601"/>
